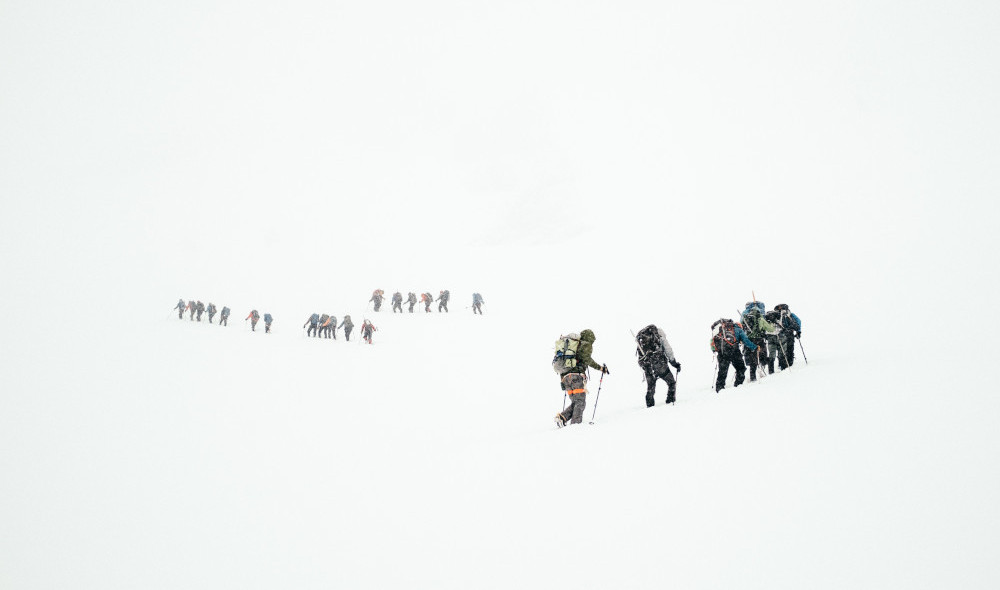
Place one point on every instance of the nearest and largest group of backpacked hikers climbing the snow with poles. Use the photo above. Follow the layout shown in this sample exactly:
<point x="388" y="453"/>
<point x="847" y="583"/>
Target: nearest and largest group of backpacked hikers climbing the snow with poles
<point x="755" y="341"/>
